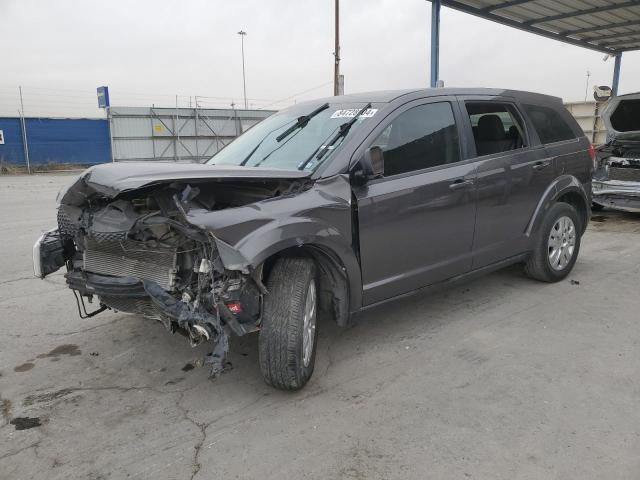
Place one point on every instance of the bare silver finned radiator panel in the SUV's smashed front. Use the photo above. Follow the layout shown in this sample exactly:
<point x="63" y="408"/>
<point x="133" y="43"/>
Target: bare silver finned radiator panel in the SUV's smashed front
<point x="131" y="259"/>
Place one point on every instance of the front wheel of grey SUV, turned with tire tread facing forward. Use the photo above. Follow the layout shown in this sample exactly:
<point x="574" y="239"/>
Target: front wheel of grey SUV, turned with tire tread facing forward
<point x="287" y="343"/>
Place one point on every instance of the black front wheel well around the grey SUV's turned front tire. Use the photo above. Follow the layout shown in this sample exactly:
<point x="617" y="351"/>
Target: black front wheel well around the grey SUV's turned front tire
<point x="332" y="279"/>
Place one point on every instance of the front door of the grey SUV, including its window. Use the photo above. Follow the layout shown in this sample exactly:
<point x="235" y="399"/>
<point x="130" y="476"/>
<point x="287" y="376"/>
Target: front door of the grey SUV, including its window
<point x="416" y="223"/>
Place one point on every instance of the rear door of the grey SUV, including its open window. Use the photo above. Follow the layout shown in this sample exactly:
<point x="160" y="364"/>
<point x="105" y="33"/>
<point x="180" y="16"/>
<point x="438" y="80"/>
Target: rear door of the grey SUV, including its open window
<point x="513" y="172"/>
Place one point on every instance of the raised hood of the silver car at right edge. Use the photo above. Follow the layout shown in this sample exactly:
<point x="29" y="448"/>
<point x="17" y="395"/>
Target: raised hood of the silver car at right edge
<point x="621" y="116"/>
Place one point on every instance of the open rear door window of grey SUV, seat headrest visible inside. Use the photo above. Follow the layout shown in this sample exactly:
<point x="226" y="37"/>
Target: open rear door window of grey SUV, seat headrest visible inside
<point x="496" y="127"/>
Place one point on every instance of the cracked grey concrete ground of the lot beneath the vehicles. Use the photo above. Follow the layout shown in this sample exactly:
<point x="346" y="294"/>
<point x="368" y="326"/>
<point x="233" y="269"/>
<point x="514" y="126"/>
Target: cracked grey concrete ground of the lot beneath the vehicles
<point x="502" y="378"/>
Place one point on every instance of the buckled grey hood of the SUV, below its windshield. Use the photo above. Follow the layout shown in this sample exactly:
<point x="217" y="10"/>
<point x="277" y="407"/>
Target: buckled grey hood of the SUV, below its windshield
<point x="111" y="179"/>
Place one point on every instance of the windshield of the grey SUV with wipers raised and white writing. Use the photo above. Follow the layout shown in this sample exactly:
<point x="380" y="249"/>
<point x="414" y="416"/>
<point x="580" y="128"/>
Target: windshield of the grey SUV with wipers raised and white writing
<point x="273" y="143"/>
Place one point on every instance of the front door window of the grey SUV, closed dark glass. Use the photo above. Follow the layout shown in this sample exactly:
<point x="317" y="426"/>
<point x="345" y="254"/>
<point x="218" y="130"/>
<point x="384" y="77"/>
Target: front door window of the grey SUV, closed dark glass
<point x="422" y="137"/>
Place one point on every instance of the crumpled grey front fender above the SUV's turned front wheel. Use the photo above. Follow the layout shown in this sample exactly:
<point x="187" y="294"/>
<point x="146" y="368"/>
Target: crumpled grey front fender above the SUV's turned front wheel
<point x="320" y="216"/>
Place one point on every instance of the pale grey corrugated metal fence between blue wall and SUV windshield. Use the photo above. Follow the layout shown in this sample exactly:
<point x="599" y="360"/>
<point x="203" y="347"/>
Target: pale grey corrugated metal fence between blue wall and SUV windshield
<point x="182" y="134"/>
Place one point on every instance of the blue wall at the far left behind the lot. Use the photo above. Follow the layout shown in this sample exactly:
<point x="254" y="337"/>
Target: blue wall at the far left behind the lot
<point x="56" y="140"/>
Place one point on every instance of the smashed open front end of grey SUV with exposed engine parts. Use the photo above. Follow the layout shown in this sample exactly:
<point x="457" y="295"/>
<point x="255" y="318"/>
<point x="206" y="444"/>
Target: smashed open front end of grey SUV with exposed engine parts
<point x="137" y="252"/>
